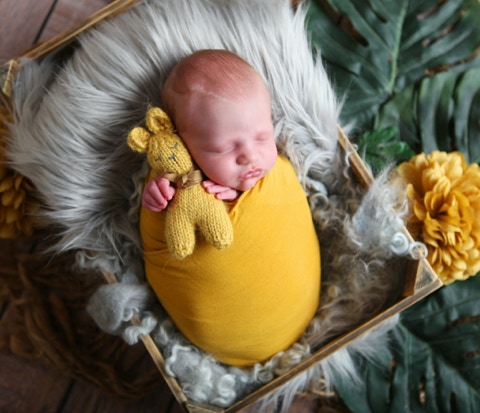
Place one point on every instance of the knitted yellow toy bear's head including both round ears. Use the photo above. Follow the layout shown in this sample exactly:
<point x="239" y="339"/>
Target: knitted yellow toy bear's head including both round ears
<point x="166" y="152"/>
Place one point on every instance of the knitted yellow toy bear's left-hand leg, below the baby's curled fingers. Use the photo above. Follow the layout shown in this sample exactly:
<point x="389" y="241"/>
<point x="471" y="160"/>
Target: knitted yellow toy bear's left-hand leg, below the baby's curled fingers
<point x="179" y="233"/>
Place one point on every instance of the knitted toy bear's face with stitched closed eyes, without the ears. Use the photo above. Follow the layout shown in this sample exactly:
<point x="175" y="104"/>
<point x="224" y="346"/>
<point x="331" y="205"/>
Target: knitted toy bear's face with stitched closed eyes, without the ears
<point x="167" y="153"/>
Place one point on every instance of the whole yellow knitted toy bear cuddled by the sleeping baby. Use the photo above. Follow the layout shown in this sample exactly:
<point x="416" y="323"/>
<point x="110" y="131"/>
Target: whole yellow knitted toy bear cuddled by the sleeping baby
<point x="192" y="207"/>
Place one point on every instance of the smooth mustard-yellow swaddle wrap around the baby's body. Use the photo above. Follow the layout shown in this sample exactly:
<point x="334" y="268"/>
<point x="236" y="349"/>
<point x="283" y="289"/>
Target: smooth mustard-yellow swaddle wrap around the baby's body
<point x="248" y="302"/>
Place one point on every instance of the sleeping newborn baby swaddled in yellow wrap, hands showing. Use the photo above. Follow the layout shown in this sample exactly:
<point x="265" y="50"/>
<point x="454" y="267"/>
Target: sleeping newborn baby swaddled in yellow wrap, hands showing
<point x="244" y="304"/>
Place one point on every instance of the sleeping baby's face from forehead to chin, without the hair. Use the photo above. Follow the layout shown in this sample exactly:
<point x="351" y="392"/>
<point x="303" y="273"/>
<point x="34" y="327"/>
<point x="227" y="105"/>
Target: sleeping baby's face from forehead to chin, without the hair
<point x="231" y="141"/>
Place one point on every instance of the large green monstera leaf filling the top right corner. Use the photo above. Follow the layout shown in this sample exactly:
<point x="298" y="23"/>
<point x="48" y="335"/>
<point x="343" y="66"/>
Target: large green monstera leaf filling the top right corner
<point x="374" y="49"/>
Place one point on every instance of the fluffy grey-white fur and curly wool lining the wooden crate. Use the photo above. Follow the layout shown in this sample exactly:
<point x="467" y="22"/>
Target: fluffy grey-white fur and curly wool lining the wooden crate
<point x="69" y="139"/>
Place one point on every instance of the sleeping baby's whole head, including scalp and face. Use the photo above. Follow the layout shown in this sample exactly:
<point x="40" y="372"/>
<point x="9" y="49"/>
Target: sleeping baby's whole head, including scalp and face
<point x="221" y="108"/>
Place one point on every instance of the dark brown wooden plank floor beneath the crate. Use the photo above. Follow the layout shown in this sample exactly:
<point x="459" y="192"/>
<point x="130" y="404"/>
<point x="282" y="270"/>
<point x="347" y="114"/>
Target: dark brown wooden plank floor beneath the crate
<point x="34" y="385"/>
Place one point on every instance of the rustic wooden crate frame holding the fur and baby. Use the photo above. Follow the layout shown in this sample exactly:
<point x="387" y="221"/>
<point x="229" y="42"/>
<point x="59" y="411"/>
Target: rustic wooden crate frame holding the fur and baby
<point x="420" y="279"/>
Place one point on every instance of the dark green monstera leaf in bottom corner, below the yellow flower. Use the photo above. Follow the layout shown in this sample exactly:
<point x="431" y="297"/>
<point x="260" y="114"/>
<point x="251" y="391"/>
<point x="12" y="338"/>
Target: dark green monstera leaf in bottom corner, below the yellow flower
<point x="434" y="364"/>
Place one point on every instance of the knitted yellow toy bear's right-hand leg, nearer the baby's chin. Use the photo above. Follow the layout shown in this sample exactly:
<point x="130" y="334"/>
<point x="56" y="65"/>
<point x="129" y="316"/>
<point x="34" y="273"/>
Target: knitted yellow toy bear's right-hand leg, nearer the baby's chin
<point x="217" y="227"/>
